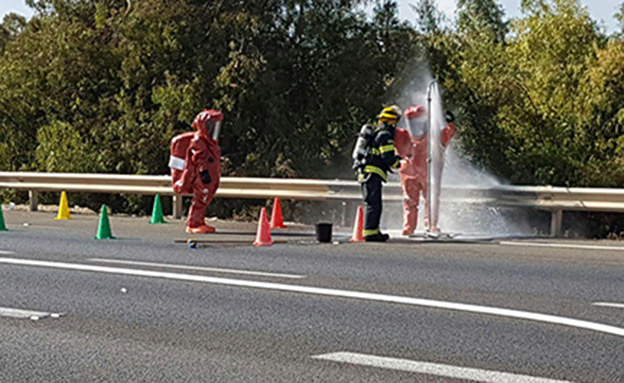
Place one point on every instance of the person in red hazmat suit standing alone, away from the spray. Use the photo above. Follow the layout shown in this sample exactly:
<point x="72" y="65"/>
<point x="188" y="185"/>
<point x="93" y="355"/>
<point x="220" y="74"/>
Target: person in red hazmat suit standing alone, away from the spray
<point x="200" y="170"/>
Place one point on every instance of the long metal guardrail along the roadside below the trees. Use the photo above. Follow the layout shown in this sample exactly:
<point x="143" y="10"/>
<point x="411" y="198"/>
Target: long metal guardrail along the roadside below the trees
<point x="553" y="199"/>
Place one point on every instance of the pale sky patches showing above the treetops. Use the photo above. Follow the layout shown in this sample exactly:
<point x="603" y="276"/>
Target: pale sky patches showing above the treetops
<point x="600" y="10"/>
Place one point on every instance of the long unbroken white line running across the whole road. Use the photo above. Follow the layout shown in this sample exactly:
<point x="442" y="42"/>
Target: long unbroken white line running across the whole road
<point x="509" y="313"/>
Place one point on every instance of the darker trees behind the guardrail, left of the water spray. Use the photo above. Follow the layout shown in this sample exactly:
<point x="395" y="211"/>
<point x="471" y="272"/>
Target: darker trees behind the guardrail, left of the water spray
<point x="294" y="78"/>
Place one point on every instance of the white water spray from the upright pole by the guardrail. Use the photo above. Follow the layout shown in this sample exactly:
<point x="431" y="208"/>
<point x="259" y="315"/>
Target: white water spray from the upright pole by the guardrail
<point x="459" y="174"/>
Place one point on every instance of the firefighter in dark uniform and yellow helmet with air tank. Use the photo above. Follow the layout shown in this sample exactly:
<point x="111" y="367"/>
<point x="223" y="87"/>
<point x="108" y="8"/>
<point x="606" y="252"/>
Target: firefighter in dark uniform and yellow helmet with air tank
<point x="379" y="160"/>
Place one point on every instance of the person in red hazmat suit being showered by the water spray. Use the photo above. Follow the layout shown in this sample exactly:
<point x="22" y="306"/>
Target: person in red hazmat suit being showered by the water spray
<point x="412" y="145"/>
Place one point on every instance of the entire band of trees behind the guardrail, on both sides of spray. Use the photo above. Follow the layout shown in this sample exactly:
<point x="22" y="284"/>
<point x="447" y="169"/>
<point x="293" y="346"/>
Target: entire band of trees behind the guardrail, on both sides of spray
<point x="103" y="85"/>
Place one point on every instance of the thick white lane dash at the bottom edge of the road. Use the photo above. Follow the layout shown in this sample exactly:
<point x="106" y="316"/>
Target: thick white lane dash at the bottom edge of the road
<point x="472" y="374"/>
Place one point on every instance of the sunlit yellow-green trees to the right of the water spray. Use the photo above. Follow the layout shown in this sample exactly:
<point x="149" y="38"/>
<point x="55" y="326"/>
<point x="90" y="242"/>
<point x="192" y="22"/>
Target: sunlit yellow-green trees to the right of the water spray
<point x="543" y="105"/>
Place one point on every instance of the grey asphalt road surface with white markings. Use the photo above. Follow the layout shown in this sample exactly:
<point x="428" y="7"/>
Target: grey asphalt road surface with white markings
<point x="142" y="308"/>
